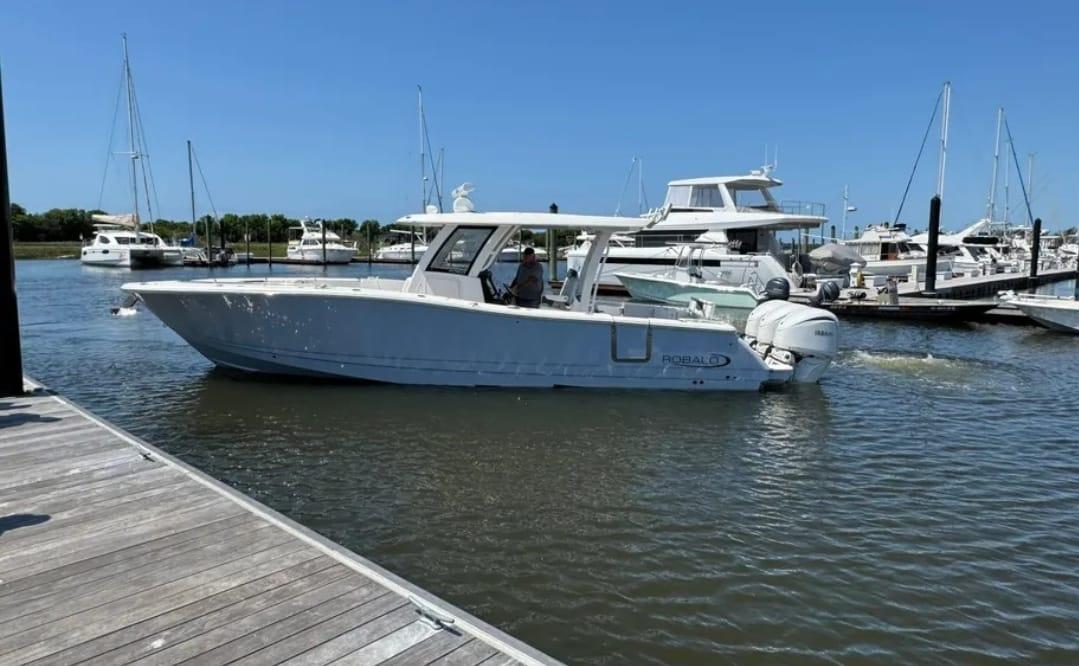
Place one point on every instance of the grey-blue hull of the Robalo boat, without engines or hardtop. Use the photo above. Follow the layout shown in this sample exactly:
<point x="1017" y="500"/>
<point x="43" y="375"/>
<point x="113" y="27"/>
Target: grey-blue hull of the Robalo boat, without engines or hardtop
<point x="430" y="341"/>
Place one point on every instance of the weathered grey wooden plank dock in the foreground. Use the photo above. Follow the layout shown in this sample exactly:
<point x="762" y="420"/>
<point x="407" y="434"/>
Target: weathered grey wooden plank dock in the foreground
<point x="114" y="552"/>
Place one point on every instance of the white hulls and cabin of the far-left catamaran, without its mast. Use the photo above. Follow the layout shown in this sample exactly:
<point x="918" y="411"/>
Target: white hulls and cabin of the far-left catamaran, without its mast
<point x="119" y="243"/>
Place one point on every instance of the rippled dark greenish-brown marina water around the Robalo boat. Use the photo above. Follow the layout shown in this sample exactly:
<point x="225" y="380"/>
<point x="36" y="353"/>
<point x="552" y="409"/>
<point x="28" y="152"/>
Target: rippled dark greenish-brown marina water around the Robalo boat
<point x="921" y="506"/>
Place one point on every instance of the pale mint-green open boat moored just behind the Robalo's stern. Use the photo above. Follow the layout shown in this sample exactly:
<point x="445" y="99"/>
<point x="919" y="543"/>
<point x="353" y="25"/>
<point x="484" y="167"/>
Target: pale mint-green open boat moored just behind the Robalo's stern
<point x="686" y="281"/>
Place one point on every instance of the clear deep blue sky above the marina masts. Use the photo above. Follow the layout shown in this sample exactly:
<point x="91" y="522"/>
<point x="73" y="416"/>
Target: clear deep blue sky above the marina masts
<point x="309" y="108"/>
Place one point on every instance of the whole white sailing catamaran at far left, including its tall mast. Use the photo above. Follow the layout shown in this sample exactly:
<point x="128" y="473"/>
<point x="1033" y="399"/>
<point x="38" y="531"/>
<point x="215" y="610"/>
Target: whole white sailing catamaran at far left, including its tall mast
<point x="119" y="240"/>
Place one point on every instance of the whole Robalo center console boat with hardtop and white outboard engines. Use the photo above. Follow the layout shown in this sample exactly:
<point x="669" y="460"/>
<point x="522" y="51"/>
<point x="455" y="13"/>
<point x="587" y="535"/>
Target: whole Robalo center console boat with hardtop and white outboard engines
<point x="449" y="325"/>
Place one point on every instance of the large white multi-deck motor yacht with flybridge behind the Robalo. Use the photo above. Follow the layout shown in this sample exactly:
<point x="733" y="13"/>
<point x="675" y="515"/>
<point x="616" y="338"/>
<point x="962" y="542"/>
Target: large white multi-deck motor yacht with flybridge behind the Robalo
<point x="736" y="215"/>
